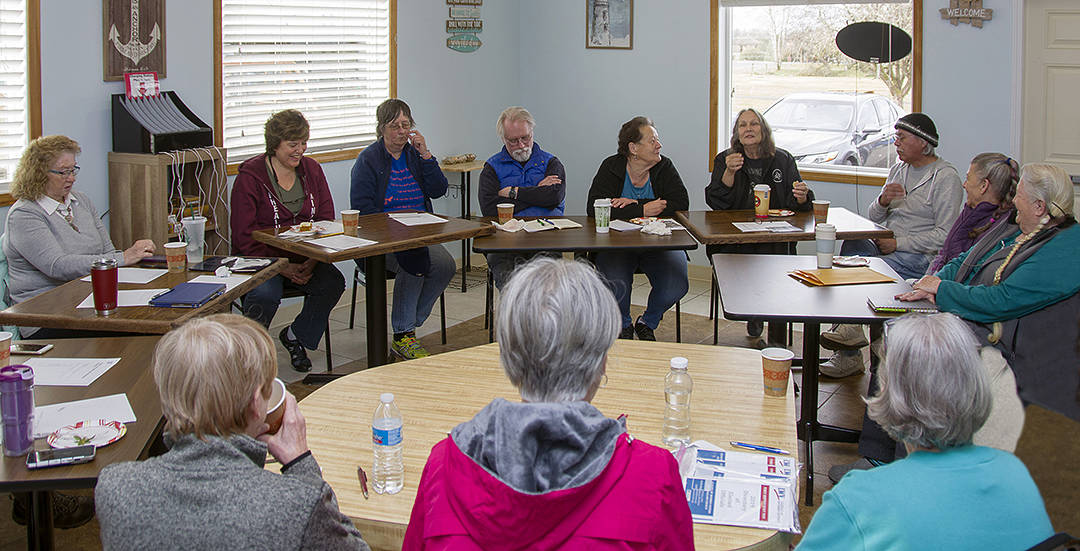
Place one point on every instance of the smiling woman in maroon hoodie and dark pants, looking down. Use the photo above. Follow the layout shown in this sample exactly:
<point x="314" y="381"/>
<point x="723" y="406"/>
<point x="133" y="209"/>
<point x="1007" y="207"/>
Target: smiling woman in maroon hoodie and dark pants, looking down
<point x="276" y="190"/>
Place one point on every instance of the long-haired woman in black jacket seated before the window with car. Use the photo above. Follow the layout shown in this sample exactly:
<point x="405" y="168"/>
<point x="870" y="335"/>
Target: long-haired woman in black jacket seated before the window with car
<point x="755" y="160"/>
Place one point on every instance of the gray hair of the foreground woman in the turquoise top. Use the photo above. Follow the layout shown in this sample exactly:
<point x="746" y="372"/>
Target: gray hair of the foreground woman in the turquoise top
<point x="934" y="389"/>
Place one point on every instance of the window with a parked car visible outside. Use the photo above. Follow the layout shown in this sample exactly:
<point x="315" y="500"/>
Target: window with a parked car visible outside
<point x="833" y="114"/>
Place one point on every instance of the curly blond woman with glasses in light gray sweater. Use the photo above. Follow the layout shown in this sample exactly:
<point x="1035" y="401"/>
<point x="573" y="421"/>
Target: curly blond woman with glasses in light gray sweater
<point x="53" y="233"/>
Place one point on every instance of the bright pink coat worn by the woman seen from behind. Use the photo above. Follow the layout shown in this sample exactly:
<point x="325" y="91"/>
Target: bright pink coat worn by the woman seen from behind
<point x="637" y="503"/>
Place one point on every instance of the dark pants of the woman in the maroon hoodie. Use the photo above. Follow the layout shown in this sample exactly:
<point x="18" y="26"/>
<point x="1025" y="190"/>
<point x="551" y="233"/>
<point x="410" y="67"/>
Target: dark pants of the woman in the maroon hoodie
<point x="321" y="295"/>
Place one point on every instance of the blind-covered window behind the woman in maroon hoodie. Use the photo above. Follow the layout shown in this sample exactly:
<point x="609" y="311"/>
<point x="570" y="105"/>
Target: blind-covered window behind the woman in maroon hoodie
<point x="332" y="60"/>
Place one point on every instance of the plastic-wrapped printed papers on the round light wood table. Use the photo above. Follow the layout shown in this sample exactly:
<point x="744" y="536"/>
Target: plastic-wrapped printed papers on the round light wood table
<point x="740" y="489"/>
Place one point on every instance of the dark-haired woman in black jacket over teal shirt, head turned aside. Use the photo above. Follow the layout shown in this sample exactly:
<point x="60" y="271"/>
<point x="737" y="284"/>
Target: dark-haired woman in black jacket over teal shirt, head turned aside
<point x="640" y="182"/>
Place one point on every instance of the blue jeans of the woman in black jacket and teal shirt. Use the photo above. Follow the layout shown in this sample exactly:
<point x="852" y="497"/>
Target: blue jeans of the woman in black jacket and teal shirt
<point x="667" y="274"/>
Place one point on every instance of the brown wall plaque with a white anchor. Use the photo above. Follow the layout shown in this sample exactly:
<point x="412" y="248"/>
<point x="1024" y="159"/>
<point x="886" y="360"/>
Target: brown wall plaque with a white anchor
<point x="134" y="37"/>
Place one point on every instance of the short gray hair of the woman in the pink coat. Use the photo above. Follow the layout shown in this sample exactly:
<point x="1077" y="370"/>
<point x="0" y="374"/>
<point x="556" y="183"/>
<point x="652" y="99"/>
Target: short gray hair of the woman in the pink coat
<point x="556" y="322"/>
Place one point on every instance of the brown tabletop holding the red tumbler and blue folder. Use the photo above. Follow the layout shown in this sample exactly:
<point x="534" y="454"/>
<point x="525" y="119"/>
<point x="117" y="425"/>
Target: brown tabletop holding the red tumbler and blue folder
<point x="57" y="307"/>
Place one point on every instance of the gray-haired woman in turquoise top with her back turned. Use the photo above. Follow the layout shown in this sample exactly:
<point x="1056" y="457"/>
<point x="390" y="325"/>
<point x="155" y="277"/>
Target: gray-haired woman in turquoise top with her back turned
<point x="948" y="493"/>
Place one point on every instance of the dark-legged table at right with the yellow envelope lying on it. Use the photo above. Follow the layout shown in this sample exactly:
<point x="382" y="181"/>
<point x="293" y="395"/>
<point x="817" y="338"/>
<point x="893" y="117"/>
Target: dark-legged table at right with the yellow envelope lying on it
<point x="758" y="287"/>
